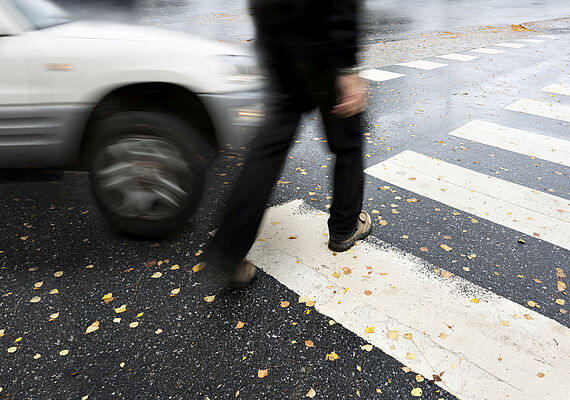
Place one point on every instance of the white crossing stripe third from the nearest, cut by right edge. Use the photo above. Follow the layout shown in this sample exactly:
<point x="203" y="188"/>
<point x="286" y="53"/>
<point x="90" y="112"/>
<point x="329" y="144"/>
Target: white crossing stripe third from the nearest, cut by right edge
<point x="516" y="140"/>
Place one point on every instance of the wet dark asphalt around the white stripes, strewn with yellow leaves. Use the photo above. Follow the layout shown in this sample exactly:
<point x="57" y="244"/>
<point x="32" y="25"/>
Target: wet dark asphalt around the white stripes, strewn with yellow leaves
<point x="55" y="245"/>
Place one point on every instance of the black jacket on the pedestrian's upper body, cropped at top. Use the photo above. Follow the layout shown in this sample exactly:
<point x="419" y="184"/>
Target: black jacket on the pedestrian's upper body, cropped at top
<point x="325" y="29"/>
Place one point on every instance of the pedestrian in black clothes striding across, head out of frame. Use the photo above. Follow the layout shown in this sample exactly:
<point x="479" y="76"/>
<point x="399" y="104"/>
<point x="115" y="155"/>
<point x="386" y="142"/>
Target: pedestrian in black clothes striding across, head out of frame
<point x="309" y="50"/>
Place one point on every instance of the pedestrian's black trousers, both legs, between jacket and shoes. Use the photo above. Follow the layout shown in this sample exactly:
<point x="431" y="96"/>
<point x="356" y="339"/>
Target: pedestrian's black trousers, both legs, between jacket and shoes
<point x="298" y="84"/>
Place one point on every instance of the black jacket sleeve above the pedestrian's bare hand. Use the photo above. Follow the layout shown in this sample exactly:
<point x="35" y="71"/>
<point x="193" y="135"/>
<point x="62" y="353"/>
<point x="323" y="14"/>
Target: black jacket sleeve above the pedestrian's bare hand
<point x="341" y="20"/>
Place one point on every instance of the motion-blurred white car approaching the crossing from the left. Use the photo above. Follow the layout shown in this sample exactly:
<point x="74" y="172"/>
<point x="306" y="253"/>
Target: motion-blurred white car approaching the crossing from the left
<point x="140" y="108"/>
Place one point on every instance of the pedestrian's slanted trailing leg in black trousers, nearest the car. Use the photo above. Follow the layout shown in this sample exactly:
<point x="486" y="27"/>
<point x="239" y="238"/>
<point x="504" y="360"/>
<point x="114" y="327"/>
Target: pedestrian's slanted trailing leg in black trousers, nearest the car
<point x="247" y="202"/>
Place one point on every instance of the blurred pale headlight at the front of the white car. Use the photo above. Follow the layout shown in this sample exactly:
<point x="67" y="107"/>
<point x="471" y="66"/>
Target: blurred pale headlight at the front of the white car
<point x="233" y="68"/>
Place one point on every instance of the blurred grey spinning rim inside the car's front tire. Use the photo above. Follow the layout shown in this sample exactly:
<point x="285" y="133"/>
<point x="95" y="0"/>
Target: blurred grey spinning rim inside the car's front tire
<point x="143" y="177"/>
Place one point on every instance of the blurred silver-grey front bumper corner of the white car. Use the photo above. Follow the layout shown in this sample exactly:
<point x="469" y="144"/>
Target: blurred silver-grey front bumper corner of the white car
<point x="235" y="115"/>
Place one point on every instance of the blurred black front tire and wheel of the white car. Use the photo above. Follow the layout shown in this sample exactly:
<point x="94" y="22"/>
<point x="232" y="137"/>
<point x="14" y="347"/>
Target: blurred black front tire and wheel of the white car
<point x="147" y="171"/>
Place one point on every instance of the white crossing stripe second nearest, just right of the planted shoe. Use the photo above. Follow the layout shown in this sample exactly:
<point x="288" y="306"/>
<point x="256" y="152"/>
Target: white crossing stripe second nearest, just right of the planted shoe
<point x="517" y="207"/>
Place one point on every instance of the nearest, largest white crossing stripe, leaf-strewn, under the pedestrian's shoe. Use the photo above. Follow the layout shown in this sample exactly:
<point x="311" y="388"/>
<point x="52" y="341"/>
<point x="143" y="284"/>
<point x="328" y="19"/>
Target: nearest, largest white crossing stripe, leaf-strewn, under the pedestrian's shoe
<point x="486" y="347"/>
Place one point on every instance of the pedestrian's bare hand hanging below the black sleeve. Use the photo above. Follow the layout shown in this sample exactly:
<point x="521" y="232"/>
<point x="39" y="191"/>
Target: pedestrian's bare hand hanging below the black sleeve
<point x="351" y="96"/>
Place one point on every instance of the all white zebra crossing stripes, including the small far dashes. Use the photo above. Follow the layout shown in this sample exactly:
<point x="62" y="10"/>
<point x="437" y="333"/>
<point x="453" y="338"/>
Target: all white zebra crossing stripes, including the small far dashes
<point x="424" y="319"/>
